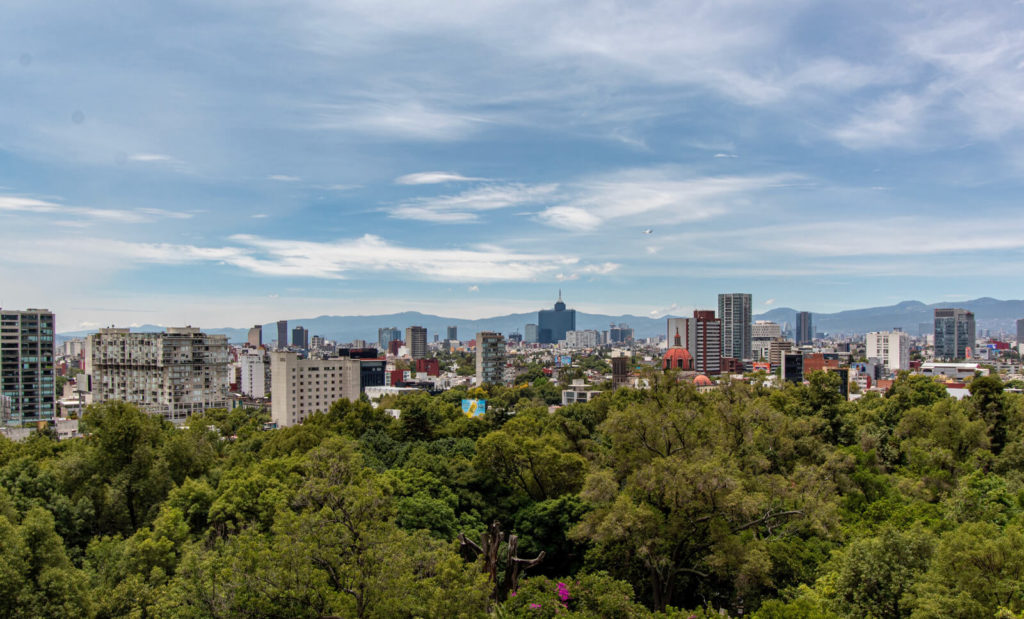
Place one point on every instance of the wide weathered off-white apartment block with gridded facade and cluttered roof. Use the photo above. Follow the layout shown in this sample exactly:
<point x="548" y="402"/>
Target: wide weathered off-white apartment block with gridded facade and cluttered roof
<point x="175" y="374"/>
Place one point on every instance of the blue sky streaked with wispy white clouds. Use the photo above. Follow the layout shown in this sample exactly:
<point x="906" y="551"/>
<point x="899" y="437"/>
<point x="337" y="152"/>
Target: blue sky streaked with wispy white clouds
<point x="237" y="162"/>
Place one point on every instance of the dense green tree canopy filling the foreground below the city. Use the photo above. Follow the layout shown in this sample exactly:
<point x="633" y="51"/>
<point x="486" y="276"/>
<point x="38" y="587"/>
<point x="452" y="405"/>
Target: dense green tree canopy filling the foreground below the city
<point x="744" y="501"/>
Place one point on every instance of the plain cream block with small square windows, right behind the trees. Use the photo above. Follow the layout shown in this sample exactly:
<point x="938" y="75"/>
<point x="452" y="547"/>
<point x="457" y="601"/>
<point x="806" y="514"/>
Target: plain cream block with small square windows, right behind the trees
<point x="301" y="388"/>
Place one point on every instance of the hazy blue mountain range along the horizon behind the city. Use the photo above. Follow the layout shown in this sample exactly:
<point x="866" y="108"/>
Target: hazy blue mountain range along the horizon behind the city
<point x="990" y="314"/>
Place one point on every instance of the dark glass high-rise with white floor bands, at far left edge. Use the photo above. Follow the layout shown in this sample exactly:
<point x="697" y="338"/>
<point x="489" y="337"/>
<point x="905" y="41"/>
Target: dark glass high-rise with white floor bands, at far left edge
<point x="27" y="365"/>
